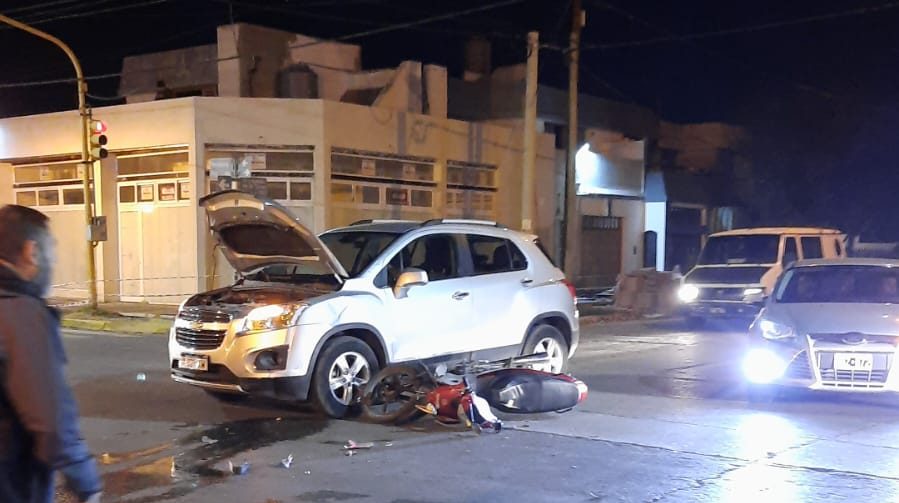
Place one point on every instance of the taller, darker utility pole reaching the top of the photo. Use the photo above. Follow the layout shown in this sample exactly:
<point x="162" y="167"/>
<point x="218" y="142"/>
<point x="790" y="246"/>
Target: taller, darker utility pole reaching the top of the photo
<point x="569" y="218"/>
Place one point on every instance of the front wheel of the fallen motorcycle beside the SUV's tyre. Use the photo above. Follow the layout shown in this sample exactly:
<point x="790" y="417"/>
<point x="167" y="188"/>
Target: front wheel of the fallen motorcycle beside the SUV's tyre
<point x="391" y="396"/>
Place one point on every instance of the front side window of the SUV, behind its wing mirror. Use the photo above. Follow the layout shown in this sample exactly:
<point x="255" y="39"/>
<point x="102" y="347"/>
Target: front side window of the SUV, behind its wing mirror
<point x="436" y="254"/>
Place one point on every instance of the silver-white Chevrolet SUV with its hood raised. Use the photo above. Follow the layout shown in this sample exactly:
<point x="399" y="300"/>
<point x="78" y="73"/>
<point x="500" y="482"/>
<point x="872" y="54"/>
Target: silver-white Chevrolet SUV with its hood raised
<point x="317" y="317"/>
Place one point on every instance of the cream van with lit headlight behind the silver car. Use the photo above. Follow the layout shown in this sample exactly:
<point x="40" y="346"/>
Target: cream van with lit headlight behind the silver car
<point x="737" y="269"/>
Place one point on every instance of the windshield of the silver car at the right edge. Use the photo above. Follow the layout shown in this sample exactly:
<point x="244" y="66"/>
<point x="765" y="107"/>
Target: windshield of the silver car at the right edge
<point x="840" y="284"/>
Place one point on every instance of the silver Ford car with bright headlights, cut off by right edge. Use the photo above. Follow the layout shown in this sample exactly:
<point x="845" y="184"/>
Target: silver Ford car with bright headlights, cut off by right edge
<point x="830" y="324"/>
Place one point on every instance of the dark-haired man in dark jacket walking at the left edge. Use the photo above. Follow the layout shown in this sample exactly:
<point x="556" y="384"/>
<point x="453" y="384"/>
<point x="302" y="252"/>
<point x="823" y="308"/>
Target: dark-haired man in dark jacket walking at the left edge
<point x="39" y="432"/>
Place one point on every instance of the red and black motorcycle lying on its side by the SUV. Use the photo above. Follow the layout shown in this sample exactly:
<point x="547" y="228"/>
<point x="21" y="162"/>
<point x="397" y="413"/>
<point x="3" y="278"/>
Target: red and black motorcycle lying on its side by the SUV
<point x="466" y="392"/>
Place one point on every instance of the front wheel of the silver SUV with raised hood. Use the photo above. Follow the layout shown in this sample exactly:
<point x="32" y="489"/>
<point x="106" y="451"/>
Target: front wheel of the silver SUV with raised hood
<point x="342" y="371"/>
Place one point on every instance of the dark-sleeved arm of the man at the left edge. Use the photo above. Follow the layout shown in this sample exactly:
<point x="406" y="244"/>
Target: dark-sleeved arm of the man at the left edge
<point x="38" y="392"/>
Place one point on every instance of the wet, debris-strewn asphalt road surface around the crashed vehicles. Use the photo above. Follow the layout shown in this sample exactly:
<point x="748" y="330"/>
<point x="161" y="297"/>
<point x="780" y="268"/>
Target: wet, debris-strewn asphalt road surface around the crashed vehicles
<point x="666" y="421"/>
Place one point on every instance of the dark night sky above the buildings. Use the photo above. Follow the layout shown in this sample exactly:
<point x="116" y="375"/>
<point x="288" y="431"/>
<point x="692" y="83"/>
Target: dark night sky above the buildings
<point x="818" y="91"/>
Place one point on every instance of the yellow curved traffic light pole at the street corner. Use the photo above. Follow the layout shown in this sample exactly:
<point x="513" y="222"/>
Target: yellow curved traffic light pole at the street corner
<point x="85" y="148"/>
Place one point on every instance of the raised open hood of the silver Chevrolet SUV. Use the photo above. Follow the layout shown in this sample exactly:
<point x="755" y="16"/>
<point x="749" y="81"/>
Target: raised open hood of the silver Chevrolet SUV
<point x="255" y="232"/>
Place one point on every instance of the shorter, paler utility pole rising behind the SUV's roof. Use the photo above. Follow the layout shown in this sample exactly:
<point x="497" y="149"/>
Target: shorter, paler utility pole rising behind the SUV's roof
<point x="530" y="136"/>
